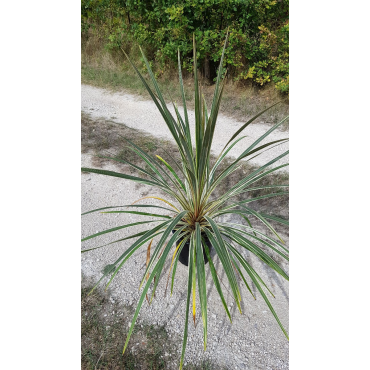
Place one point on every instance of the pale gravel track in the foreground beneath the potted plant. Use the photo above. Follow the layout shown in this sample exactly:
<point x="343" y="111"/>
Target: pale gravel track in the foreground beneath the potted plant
<point x="253" y="341"/>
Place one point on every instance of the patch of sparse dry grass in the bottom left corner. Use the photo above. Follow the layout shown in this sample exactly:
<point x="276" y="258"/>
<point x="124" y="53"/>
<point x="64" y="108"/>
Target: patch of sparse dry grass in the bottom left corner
<point x="104" y="326"/>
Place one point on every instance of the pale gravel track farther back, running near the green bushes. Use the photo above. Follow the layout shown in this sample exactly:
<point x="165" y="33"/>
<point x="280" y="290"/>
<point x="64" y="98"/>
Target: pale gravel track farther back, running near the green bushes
<point x="143" y="115"/>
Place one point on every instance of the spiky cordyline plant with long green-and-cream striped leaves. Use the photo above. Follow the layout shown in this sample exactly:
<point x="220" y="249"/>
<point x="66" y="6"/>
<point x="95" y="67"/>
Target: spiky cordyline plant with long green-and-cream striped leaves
<point x="193" y="220"/>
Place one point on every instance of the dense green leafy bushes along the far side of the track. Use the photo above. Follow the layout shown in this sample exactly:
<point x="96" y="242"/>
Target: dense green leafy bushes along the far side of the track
<point x="258" y="44"/>
